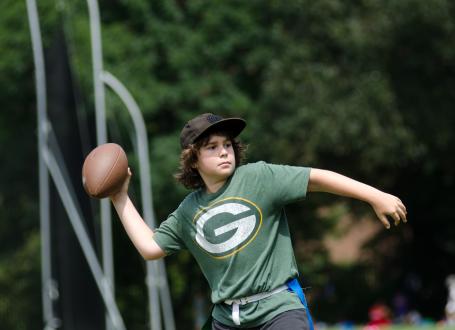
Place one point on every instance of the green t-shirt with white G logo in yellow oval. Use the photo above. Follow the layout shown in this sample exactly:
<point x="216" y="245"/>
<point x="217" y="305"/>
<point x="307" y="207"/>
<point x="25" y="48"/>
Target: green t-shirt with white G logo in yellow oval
<point x="240" y="238"/>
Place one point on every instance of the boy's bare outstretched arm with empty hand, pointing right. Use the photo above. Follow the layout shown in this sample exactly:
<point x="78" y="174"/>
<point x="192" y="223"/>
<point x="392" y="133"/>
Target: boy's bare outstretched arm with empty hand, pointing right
<point x="383" y="204"/>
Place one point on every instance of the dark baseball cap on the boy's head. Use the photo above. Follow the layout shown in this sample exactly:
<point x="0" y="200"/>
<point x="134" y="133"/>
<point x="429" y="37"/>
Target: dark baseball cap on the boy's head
<point x="206" y="122"/>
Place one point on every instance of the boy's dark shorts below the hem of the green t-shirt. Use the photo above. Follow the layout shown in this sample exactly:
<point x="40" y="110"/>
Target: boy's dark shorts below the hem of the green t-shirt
<point x="295" y="319"/>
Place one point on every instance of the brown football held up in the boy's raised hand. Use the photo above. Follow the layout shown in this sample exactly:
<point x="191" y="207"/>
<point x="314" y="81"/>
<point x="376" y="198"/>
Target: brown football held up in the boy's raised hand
<point x="104" y="171"/>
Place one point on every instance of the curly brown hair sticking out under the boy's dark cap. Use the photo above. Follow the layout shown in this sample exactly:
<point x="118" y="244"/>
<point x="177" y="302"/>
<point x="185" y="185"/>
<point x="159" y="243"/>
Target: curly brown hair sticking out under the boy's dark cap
<point x="188" y="175"/>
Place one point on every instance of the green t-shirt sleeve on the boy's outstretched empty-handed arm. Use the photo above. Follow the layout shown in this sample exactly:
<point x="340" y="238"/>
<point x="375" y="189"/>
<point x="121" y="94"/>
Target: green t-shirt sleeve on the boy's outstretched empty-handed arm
<point x="287" y="183"/>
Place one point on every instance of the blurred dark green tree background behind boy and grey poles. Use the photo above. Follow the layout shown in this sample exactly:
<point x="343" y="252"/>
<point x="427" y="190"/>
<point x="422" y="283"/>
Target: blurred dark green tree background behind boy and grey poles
<point x="360" y="87"/>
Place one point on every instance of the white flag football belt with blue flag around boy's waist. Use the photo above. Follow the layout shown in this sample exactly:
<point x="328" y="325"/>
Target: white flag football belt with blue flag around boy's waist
<point x="292" y="285"/>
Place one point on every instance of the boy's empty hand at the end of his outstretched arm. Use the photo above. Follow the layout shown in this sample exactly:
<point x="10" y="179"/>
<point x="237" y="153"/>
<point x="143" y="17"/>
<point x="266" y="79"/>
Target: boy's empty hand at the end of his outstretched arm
<point x="388" y="205"/>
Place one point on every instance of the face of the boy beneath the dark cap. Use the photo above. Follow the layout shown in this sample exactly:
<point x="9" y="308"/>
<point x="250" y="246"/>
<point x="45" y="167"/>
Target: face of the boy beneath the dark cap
<point x="216" y="159"/>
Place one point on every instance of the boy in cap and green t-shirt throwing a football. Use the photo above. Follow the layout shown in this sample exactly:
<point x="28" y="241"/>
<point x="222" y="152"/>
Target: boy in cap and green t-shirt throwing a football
<point x="234" y="225"/>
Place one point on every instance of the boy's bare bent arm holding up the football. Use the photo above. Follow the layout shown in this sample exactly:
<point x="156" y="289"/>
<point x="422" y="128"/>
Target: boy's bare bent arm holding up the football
<point x="138" y="231"/>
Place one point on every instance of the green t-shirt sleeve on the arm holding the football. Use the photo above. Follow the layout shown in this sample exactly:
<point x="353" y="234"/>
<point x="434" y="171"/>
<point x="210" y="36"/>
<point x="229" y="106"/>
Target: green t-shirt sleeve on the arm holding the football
<point x="168" y="237"/>
